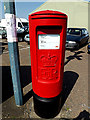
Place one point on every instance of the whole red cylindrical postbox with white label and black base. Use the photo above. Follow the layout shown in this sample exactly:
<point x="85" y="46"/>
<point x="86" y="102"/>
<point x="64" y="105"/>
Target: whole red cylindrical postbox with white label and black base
<point x="47" y="31"/>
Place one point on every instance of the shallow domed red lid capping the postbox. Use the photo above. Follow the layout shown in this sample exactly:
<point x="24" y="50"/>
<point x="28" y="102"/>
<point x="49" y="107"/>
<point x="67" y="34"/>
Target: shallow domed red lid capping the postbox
<point x="48" y="13"/>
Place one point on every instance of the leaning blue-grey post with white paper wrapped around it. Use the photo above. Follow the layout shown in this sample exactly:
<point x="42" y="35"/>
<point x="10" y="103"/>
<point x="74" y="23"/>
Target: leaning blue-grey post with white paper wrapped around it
<point x="9" y="8"/>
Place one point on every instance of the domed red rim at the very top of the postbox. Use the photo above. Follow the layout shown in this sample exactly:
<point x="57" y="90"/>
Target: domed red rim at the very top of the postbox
<point x="49" y="12"/>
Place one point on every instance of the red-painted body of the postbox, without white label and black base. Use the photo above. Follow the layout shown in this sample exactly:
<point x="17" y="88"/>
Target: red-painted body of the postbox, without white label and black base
<point x="47" y="65"/>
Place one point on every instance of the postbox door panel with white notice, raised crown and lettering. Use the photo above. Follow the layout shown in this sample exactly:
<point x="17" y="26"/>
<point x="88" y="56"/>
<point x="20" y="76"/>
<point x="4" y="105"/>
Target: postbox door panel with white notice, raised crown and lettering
<point x="48" y="54"/>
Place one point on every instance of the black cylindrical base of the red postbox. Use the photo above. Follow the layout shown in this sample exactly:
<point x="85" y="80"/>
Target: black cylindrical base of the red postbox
<point x="47" y="107"/>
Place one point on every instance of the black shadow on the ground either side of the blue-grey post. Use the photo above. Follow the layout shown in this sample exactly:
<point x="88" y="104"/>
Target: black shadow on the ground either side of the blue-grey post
<point x="7" y="87"/>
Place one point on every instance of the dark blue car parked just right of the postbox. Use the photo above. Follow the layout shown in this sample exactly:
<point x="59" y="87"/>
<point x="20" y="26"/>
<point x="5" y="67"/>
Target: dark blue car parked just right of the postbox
<point x="76" y="37"/>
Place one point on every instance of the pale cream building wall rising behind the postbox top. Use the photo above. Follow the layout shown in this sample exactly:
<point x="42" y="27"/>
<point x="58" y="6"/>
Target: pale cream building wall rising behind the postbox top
<point x="76" y="10"/>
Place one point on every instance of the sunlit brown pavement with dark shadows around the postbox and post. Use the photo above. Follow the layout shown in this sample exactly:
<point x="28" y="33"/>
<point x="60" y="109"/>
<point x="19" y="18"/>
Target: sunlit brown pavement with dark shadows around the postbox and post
<point x="75" y="85"/>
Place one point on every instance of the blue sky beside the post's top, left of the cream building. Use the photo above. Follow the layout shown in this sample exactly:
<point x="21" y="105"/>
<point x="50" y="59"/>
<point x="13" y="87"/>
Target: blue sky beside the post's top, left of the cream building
<point x="23" y="9"/>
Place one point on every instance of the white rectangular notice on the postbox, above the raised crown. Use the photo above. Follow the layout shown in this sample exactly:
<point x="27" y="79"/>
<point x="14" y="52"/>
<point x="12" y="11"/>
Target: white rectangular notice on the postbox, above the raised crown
<point x="49" y="41"/>
